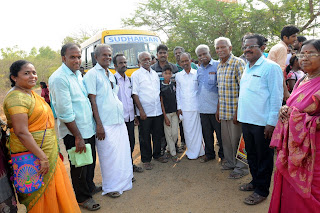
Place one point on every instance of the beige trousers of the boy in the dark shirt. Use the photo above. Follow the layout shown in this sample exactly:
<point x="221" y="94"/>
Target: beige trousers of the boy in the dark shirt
<point x="171" y="132"/>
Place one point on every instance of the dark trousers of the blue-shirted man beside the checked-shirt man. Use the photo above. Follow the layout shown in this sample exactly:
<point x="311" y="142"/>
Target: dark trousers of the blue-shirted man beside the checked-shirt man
<point x="209" y="126"/>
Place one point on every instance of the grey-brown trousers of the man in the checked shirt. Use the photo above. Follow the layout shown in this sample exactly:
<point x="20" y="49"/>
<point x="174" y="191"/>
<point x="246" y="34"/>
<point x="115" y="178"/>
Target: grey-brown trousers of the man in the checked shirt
<point x="230" y="134"/>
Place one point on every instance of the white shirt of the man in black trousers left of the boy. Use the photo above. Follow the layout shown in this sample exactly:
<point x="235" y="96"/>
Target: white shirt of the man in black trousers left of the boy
<point x="146" y="84"/>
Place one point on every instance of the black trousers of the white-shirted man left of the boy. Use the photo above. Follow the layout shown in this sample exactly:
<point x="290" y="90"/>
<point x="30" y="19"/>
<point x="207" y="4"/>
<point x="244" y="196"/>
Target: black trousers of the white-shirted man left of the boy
<point x="154" y="126"/>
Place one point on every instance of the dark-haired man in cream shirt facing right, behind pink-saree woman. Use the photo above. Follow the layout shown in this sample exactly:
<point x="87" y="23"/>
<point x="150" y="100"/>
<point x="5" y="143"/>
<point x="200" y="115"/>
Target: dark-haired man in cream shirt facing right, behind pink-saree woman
<point x="279" y="52"/>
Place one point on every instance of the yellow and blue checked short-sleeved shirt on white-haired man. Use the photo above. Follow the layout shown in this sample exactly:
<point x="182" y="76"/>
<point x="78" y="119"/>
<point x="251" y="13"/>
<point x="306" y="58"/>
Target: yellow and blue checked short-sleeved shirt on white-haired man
<point x="228" y="77"/>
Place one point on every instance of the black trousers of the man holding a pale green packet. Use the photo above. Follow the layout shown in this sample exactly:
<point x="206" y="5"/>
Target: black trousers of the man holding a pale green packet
<point x="82" y="177"/>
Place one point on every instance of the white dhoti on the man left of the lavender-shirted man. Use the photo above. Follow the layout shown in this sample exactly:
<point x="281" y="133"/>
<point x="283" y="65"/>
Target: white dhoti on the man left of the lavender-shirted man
<point x="115" y="159"/>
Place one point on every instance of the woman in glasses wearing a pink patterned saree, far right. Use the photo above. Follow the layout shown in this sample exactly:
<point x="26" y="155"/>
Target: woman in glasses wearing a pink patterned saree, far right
<point x="297" y="140"/>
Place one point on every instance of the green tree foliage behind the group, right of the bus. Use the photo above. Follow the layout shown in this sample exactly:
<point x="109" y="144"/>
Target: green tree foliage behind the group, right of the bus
<point x="189" y="23"/>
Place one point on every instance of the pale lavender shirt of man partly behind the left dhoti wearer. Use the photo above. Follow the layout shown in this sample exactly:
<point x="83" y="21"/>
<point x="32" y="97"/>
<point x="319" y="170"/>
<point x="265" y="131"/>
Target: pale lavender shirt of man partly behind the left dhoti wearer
<point x="124" y="94"/>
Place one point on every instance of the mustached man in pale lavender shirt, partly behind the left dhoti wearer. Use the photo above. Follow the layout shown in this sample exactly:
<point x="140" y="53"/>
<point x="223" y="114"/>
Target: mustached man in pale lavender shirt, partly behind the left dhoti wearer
<point x="125" y="96"/>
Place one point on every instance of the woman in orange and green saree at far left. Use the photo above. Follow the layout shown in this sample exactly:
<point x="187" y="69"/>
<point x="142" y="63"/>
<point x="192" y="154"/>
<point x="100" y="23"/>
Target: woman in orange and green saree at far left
<point x="28" y="117"/>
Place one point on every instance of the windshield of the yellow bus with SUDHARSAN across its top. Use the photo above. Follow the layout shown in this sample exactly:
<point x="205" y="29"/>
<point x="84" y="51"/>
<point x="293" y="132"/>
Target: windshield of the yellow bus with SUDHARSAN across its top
<point x="131" y="46"/>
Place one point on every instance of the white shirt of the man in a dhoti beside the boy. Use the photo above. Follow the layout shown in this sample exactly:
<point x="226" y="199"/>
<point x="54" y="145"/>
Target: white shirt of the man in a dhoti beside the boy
<point x="187" y="87"/>
